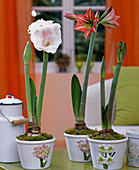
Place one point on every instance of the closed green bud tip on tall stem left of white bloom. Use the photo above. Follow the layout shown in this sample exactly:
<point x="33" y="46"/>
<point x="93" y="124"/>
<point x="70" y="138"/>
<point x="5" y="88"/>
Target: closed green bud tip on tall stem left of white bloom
<point x="27" y="54"/>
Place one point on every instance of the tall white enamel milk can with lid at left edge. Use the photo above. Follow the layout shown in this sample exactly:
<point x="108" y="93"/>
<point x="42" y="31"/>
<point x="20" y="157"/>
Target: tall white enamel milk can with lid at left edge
<point x="10" y="109"/>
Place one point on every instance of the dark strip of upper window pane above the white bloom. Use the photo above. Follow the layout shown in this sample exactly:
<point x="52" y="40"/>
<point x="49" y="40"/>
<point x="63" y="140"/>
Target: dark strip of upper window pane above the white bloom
<point x="47" y="2"/>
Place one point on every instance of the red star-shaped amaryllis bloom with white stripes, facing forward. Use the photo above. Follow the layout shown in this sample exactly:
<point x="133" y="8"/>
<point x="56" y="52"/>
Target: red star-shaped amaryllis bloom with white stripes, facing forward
<point x="87" y="23"/>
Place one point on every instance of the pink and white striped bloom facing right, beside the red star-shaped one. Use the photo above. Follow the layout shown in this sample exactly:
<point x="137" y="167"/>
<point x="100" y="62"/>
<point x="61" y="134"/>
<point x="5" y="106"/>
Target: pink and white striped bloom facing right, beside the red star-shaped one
<point x="108" y="18"/>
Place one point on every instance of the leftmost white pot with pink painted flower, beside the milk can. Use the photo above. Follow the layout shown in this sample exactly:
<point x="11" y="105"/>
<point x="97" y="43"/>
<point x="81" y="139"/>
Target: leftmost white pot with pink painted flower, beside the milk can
<point x="35" y="154"/>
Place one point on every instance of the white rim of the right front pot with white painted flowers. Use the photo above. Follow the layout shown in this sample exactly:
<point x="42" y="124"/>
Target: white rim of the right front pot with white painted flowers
<point x="107" y="141"/>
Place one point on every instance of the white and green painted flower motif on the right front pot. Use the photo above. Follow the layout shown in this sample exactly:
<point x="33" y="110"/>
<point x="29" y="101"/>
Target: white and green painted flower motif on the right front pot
<point x="106" y="154"/>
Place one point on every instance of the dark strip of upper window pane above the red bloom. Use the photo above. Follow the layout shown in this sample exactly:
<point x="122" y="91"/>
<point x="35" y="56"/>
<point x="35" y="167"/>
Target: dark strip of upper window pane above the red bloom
<point x="89" y="2"/>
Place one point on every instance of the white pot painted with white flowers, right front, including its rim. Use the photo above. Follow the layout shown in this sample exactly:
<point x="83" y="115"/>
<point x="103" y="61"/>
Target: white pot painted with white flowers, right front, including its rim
<point x="108" y="154"/>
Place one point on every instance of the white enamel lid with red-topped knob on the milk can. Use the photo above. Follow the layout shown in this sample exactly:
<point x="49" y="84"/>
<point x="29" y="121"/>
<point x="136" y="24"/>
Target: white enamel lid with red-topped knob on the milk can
<point x="10" y="100"/>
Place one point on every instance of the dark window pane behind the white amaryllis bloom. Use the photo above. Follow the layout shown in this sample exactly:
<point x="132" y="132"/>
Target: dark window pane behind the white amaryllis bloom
<point x="56" y="17"/>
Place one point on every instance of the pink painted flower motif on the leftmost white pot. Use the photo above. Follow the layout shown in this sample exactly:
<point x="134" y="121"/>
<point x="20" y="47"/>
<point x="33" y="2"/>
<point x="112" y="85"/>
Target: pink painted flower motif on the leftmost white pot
<point x="42" y="153"/>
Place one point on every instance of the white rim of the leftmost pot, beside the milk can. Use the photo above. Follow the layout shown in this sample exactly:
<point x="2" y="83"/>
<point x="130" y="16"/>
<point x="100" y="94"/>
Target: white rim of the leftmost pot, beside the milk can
<point x="35" y="142"/>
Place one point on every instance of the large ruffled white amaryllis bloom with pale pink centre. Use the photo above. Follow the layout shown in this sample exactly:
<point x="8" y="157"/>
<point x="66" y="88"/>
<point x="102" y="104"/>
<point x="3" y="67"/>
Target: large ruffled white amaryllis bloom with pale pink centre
<point x="45" y="35"/>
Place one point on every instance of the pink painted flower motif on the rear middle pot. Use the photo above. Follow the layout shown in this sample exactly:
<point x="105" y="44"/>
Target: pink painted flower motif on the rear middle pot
<point x="83" y="145"/>
